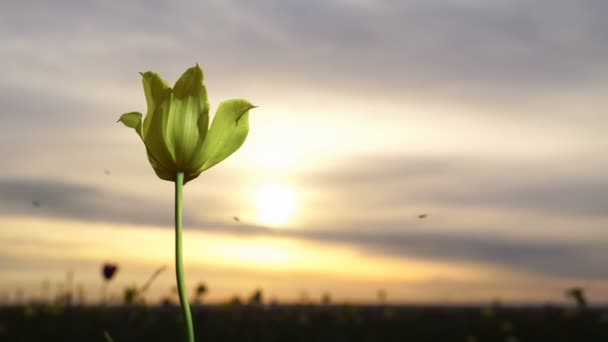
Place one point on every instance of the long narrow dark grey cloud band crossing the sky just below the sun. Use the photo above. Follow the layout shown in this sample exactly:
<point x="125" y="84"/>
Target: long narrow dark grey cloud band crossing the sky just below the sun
<point x="549" y="257"/>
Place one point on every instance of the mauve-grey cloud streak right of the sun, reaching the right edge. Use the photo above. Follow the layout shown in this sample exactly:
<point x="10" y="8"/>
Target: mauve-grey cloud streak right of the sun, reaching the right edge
<point x="568" y="189"/>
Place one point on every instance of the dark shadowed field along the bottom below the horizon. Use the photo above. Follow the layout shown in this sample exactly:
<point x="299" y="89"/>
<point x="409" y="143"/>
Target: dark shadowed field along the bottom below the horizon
<point x="305" y="323"/>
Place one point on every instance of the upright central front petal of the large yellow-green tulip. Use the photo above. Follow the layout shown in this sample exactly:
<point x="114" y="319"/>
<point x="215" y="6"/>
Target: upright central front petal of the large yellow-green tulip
<point x="188" y="117"/>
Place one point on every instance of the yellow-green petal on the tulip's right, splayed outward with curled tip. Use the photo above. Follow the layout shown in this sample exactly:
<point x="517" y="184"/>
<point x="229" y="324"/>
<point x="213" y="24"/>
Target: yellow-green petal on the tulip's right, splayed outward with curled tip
<point x="227" y="133"/>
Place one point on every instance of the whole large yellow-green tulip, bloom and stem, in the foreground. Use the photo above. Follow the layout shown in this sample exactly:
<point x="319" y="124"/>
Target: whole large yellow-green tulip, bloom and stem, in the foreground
<point x="181" y="144"/>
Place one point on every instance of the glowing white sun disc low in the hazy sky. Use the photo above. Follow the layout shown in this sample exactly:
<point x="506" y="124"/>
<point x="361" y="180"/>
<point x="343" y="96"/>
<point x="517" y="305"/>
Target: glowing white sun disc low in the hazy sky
<point x="276" y="203"/>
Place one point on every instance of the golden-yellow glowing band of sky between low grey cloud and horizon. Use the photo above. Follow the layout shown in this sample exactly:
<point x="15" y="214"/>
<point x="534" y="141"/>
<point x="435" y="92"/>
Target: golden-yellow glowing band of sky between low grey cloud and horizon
<point x="234" y="264"/>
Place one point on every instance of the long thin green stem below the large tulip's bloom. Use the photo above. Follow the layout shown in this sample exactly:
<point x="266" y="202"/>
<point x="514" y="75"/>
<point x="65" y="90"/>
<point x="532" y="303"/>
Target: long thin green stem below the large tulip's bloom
<point x="179" y="263"/>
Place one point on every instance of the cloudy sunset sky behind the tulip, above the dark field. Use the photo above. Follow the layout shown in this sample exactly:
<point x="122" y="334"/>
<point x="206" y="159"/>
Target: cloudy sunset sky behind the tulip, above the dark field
<point x="486" y="116"/>
